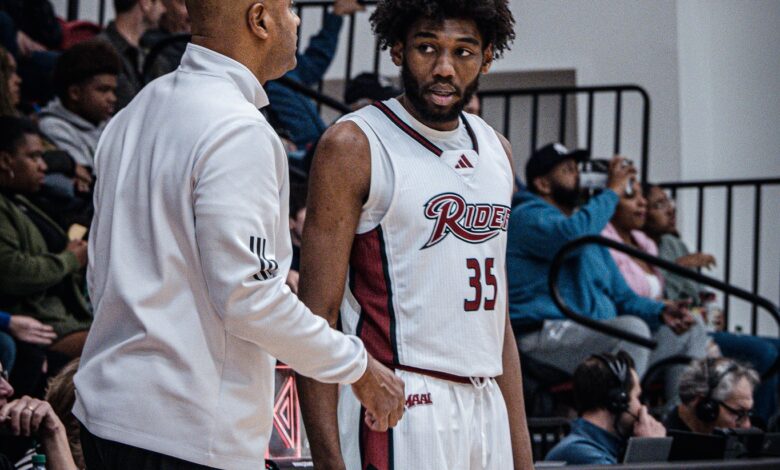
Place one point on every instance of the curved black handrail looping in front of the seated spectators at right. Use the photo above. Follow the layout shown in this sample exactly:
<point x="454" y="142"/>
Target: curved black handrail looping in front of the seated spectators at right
<point x="610" y="330"/>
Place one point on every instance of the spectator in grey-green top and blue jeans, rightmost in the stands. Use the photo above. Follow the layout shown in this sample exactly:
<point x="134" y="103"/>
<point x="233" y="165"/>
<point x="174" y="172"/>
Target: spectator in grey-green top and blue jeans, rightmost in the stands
<point x="760" y="352"/>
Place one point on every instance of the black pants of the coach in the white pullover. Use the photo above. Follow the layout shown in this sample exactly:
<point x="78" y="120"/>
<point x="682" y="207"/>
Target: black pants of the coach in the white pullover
<point x="100" y="454"/>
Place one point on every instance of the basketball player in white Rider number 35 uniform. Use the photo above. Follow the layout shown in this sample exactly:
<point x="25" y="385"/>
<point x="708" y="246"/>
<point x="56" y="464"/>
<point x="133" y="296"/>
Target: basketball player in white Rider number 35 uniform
<point x="409" y="203"/>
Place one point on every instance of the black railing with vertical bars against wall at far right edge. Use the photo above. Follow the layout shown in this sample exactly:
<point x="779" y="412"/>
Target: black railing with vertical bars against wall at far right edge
<point x="758" y="185"/>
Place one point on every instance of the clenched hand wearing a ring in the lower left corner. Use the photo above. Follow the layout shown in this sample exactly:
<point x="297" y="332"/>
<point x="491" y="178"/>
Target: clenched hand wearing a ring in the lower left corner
<point x="29" y="417"/>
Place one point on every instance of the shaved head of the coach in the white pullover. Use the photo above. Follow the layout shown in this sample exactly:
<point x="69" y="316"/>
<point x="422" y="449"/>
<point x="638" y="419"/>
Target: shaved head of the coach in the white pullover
<point x="261" y="34"/>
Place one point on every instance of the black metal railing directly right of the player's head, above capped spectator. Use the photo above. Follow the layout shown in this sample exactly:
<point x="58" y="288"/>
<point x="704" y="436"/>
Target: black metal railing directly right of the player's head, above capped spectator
<point x="564" y="95"/>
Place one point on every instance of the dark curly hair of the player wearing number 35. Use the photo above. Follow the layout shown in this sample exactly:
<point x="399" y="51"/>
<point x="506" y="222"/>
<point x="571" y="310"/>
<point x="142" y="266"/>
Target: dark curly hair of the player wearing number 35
<point x="392" y="19"/>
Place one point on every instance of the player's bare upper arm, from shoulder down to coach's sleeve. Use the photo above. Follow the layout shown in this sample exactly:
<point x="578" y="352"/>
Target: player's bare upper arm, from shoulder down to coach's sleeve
<point x="339" y="183"/>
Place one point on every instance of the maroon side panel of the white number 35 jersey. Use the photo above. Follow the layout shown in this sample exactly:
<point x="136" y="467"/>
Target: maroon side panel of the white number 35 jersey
<point x="370" y="284"/>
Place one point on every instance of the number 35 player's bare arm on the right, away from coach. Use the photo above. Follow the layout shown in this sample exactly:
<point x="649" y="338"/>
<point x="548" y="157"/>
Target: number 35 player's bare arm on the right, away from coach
<point x="511" y="381"/>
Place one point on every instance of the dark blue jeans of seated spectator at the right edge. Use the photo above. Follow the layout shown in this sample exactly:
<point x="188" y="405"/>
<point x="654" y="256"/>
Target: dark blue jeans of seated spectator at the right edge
<point x="761" y="353"/>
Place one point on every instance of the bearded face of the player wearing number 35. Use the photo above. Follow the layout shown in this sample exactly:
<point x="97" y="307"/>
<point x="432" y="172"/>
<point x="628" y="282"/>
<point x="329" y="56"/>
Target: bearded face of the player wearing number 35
<point x="441" y="63"/>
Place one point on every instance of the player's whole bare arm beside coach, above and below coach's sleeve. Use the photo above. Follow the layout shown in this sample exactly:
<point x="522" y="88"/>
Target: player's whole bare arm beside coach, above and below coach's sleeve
<point x="339" y="183"/>
